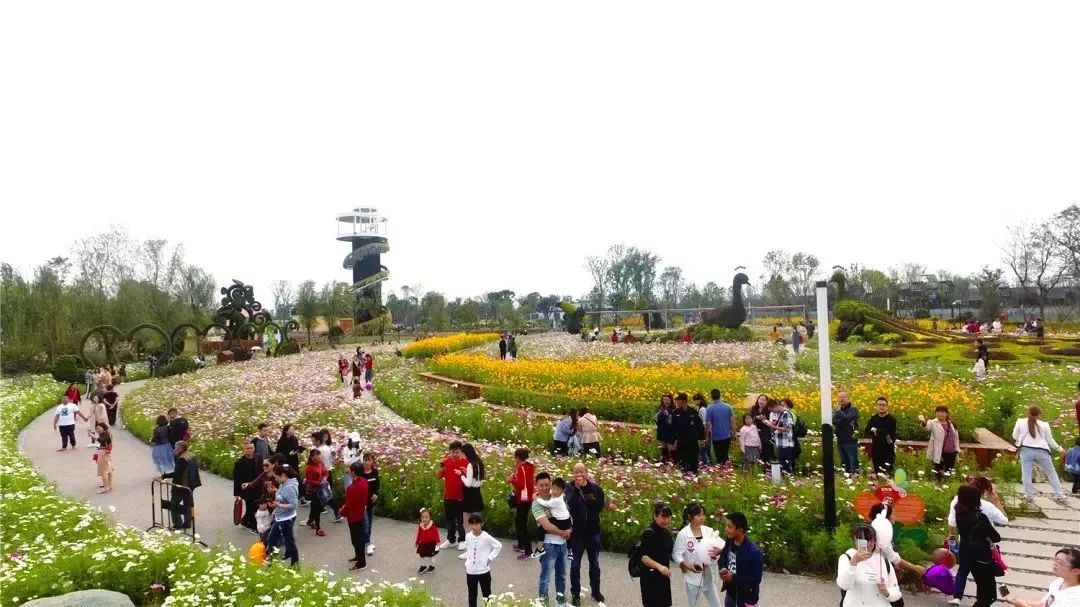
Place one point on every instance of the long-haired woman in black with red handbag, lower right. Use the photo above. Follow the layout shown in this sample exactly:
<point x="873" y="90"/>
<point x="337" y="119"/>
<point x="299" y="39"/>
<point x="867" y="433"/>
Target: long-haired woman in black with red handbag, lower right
<point x="977" y="535"/>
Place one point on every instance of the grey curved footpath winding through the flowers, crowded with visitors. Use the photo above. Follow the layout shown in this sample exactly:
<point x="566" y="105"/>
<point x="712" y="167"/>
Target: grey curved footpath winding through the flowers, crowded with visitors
<point x="395" y="560"/>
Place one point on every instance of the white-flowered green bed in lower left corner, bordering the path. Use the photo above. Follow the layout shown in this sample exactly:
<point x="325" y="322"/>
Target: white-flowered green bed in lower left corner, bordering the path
<point x="55" y="546"/>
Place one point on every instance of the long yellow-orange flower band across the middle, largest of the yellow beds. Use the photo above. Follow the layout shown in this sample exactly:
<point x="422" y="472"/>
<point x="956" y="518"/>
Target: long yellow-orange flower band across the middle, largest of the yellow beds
<point x="603" y="380"/>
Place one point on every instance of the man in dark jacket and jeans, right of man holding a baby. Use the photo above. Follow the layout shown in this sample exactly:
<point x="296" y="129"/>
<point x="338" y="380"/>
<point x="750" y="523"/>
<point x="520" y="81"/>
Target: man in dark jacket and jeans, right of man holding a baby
<point x="586" y="503"/>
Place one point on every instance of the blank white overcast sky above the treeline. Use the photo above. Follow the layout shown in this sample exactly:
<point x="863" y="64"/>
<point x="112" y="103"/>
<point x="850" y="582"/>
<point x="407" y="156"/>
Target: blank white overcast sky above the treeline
<point x="507" y="141"/>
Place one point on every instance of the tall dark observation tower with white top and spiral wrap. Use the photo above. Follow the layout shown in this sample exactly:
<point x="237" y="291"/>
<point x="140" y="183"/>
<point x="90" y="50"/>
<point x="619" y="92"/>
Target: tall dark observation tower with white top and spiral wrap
<point x="367" y="231"/>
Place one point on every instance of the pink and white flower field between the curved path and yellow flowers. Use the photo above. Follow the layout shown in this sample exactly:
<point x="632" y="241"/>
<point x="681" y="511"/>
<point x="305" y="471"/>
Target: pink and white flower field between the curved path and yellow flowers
<point x="225" y="404"/>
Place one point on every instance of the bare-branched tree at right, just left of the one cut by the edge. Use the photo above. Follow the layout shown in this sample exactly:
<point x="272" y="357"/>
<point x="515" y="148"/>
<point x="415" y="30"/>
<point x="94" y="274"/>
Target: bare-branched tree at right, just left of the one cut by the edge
<point x="1037" y="260"/>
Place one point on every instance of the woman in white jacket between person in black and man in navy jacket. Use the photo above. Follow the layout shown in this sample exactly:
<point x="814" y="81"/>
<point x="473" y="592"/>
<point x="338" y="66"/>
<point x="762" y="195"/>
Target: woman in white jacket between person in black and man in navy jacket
<point x="697" y="548"/>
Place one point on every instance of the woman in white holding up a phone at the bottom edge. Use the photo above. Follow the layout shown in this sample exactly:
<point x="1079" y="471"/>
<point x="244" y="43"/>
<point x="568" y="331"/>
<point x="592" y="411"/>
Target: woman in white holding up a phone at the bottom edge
<point x="866" y="577"/>
